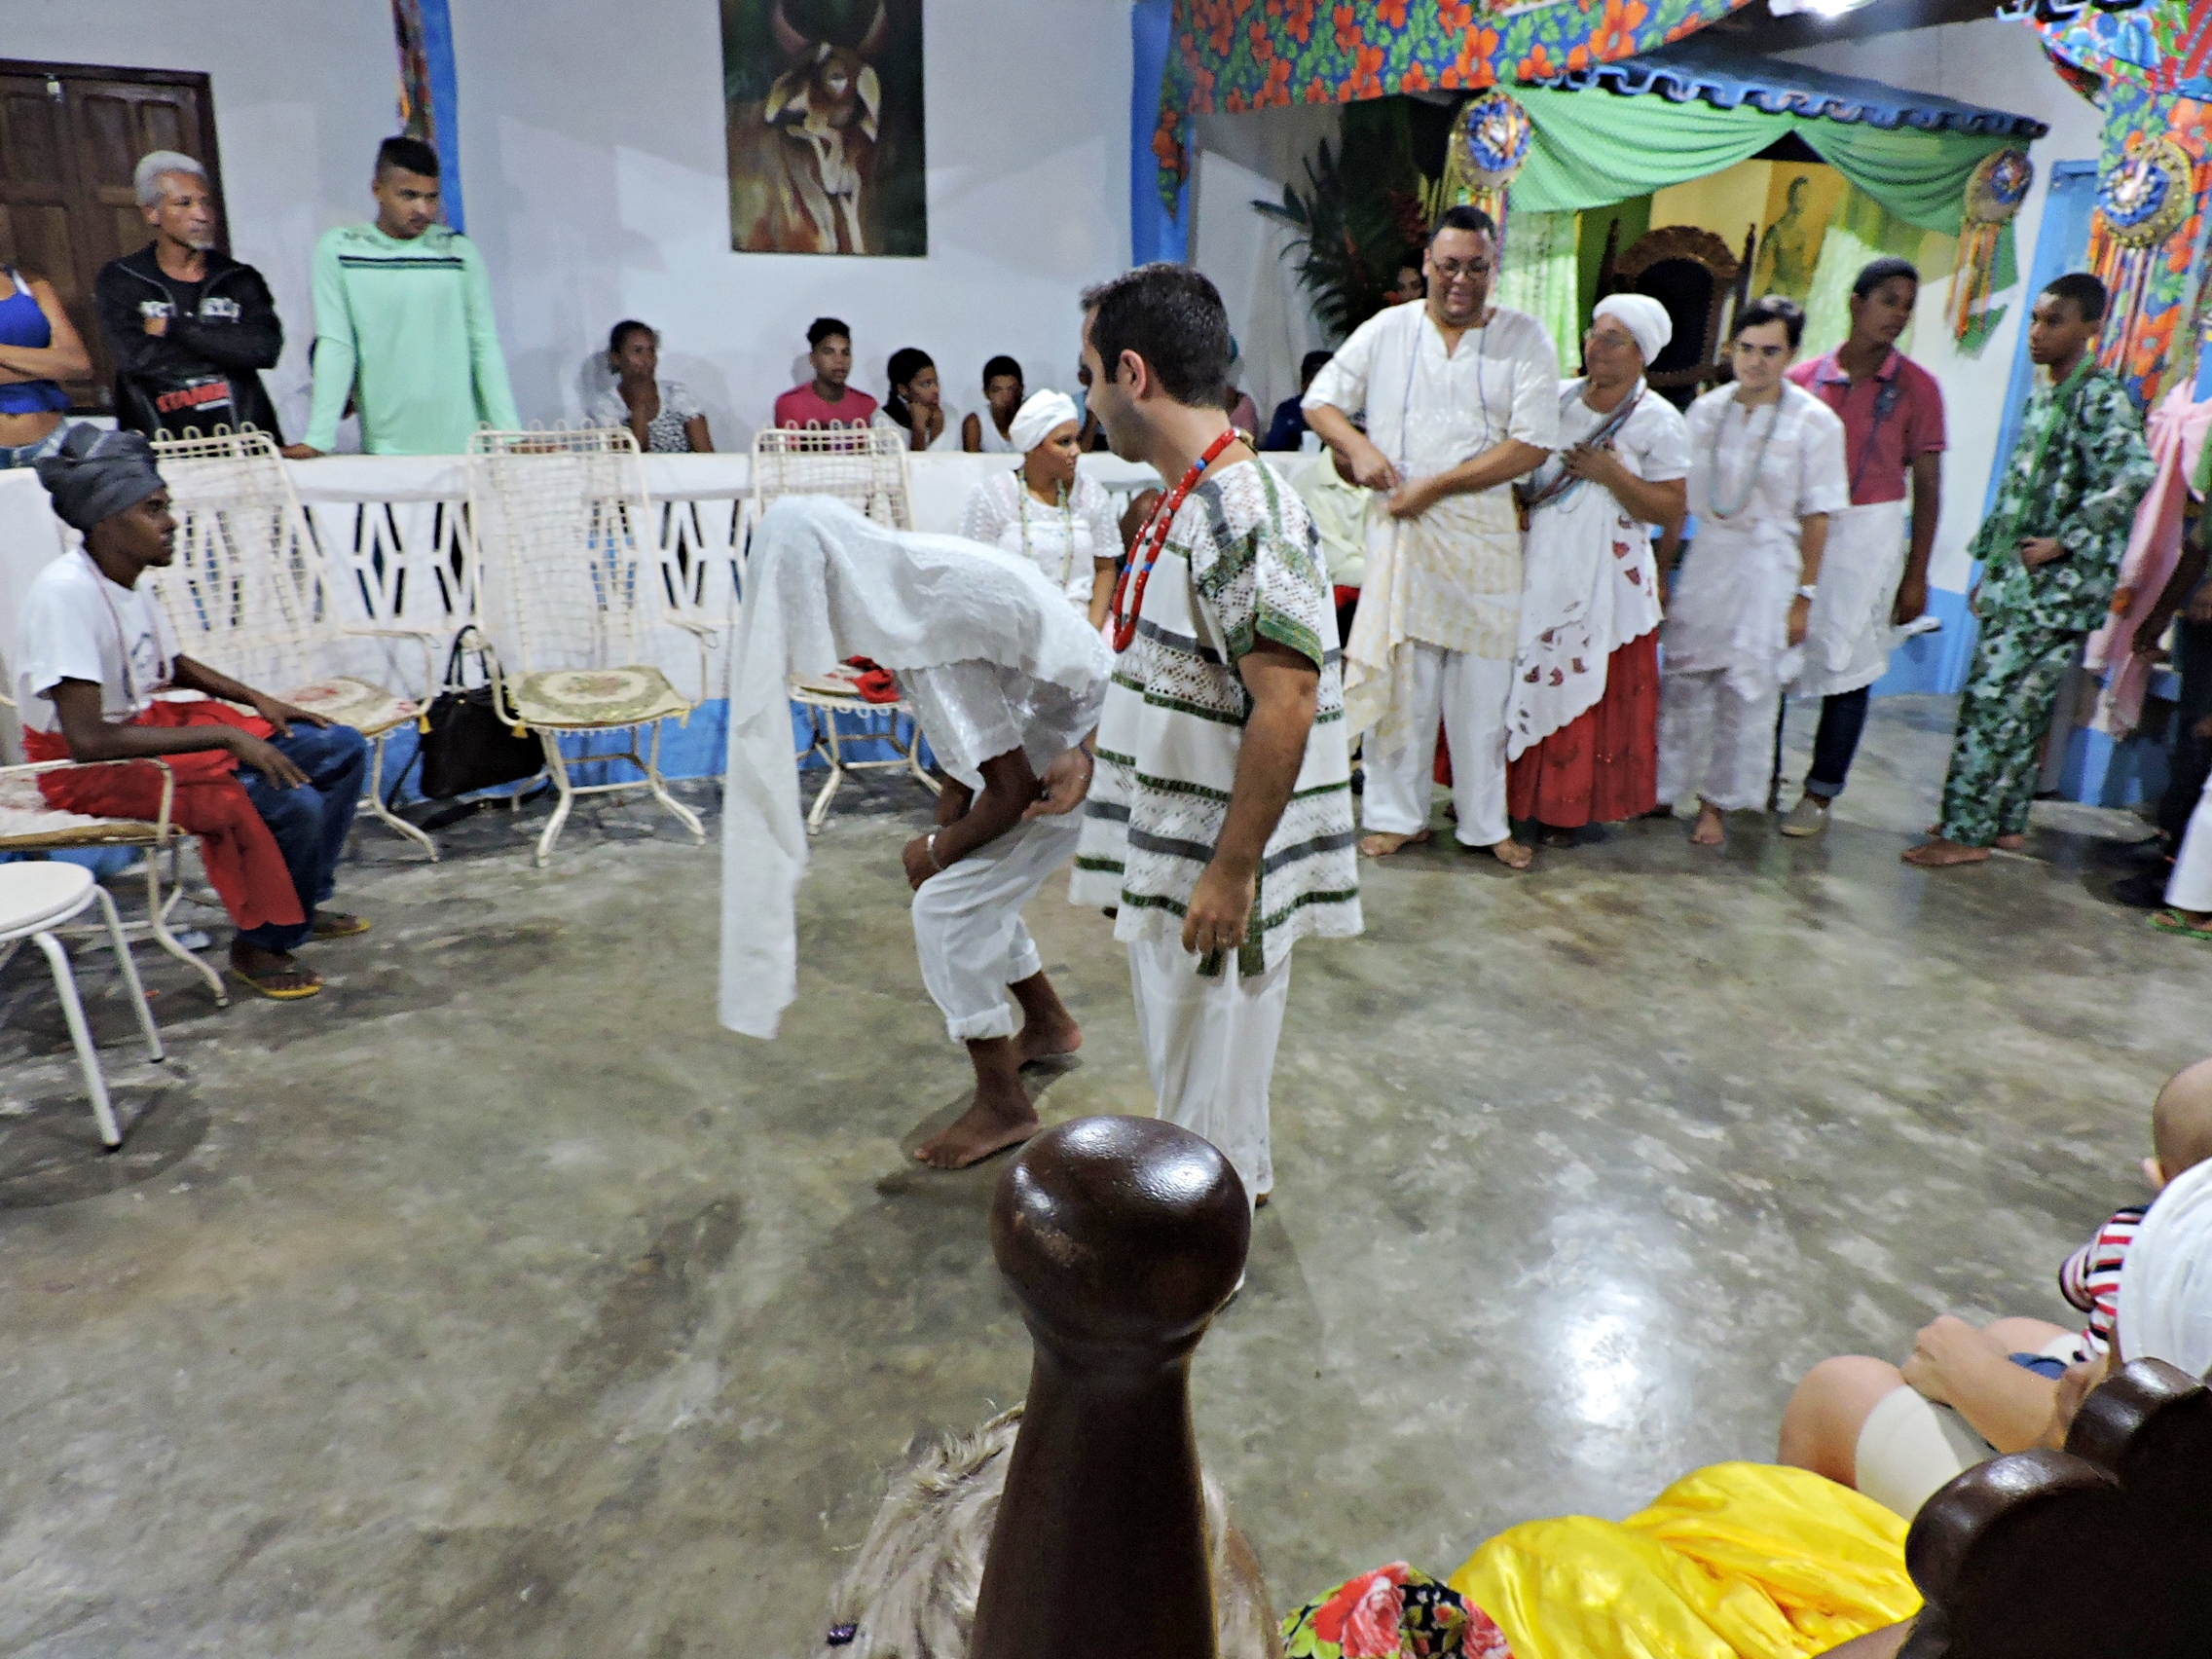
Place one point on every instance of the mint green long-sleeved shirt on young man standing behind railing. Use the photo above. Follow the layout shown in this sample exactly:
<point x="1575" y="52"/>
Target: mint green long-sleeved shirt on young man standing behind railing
<point x="406" y="326"/>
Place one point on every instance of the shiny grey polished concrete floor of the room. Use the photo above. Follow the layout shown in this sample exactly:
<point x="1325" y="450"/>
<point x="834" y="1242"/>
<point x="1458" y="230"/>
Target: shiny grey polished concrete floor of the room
<point x="501" y="1304"/>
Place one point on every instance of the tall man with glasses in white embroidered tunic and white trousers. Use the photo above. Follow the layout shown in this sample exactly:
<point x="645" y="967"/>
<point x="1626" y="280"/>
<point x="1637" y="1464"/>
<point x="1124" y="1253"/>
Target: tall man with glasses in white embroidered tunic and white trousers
<point x="1461" y="397"/>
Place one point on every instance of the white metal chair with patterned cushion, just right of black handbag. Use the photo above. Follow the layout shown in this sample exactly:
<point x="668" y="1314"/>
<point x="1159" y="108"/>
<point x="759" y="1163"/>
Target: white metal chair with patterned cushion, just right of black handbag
<point x="567" y="587"/>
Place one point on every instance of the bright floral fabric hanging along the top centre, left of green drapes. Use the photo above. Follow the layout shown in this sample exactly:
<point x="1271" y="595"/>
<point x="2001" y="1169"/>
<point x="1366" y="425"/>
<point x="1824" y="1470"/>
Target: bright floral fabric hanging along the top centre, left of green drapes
<point x="1233" y="56"/>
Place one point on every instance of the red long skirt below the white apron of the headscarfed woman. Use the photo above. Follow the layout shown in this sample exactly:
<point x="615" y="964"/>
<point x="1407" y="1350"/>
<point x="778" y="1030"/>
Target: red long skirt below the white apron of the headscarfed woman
<point x="1605" y="764"/>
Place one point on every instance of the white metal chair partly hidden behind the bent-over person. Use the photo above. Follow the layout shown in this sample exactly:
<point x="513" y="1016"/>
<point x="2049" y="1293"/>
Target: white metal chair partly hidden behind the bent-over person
<point x="868" y="470"/>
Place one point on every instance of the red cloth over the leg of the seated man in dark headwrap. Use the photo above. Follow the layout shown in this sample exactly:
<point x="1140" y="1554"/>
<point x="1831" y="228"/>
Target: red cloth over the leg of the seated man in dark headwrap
<point x="242" y="857"/>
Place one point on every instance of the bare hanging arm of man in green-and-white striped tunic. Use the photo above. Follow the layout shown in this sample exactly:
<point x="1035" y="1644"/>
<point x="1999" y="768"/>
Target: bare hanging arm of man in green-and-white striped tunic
<point x="1286" y="693"/>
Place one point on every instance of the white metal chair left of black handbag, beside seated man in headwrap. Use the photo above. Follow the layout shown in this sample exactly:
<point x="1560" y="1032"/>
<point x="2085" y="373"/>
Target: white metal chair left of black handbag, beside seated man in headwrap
<point x="251" y="594"/>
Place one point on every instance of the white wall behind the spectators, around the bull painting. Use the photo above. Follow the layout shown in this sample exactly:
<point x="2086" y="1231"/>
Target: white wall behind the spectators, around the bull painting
<point x="594" y="174"/>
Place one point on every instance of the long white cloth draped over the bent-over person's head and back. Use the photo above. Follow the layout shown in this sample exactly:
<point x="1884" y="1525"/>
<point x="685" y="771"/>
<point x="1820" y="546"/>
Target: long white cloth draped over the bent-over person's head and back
<point x="822" y="585"/>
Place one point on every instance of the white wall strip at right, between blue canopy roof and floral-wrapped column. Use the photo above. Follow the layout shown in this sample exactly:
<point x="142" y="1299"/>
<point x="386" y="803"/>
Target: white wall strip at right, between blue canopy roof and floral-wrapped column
<point x="1999" y="65"/>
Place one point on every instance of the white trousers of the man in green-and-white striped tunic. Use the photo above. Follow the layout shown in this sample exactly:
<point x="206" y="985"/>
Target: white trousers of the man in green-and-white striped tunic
<point x="1209" y="1047"/>
